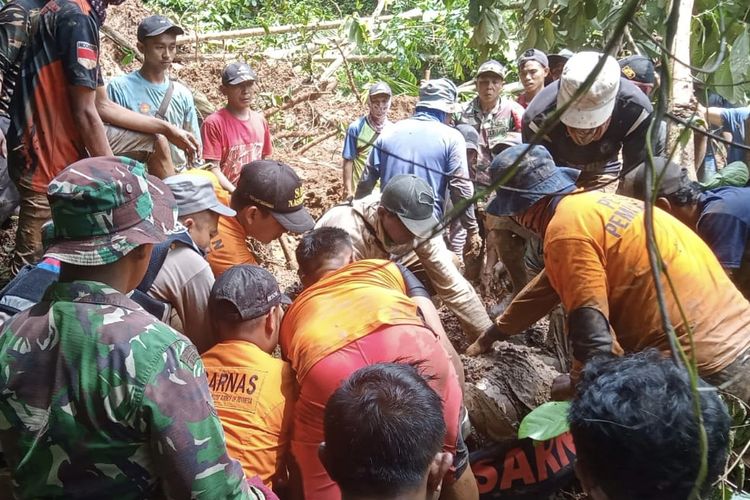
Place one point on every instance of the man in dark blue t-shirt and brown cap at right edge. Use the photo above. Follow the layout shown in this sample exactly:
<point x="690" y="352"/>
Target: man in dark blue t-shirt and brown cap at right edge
<point x="720" y="216"/>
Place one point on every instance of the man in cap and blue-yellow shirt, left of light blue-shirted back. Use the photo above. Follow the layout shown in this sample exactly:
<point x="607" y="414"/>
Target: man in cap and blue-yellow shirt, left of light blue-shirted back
<point x="361" y="135"/>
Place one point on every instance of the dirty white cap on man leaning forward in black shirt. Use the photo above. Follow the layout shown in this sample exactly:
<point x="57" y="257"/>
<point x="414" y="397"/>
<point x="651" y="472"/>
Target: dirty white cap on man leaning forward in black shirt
<point x="593" y="107"/>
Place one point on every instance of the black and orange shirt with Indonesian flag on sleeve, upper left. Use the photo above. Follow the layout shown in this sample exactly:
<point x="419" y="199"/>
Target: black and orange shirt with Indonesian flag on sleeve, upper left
<point x="43" y="138"/>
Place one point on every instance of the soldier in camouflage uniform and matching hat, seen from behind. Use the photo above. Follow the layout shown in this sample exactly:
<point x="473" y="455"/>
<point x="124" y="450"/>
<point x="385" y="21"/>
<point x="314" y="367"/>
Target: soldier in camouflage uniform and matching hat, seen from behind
<point x="118" y="405"/>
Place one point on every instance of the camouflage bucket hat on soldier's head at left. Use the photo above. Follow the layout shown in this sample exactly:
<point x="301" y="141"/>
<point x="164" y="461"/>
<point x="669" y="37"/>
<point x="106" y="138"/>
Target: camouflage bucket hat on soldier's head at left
<point x="102" y="208"/>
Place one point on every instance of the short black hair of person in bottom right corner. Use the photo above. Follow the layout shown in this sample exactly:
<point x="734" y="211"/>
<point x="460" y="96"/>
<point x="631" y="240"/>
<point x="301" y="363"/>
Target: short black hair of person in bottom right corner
<point x="634" y="429"/>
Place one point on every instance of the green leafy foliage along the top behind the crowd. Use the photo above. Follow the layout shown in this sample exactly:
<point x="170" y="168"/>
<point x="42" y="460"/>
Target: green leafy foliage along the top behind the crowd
<point x="454" y="35"/>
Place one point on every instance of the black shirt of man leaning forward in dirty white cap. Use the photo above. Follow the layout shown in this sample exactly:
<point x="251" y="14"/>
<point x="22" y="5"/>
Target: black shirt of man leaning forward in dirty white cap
<point x="627" y="131"/>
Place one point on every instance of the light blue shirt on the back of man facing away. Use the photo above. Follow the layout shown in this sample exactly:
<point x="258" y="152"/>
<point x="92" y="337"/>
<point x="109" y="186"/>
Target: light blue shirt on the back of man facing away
<point x="425" y="147"/>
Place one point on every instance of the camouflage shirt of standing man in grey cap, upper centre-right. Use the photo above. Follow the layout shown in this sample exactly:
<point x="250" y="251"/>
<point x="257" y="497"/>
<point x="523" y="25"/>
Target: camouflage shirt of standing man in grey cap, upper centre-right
<point x="492" y="128"/>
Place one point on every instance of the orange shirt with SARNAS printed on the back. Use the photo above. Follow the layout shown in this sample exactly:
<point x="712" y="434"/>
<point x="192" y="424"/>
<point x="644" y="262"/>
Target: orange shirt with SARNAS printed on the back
<point x="254" y="394"/>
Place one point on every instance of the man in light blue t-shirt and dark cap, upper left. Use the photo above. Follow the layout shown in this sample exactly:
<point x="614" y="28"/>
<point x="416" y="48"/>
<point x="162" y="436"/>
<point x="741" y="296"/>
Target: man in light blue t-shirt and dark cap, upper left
<point x="144" y="90"/>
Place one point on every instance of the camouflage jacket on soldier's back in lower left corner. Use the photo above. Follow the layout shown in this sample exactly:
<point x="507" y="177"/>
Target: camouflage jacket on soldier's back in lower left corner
<point x="100" y="400"/>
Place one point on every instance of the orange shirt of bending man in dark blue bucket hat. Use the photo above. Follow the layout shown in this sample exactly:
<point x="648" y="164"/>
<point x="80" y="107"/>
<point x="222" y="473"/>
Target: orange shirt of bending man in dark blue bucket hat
<point x="595" y="257"/>
